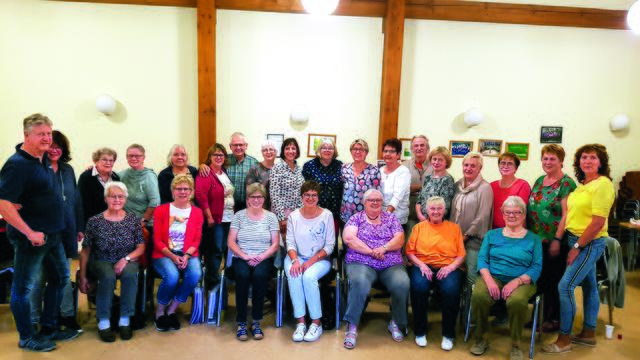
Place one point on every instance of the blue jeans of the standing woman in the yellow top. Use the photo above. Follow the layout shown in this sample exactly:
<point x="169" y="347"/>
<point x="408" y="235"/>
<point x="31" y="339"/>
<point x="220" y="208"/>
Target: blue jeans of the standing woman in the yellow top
<point x="581" y="273"/>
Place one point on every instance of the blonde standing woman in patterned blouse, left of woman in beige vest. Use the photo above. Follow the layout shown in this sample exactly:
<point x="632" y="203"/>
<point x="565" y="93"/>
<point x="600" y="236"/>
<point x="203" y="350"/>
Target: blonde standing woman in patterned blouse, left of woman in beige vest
<point x="437" y="183"/>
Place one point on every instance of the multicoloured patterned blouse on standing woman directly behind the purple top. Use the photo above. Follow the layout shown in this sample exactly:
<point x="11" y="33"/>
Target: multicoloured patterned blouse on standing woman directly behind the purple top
<point x="354" y="188"/>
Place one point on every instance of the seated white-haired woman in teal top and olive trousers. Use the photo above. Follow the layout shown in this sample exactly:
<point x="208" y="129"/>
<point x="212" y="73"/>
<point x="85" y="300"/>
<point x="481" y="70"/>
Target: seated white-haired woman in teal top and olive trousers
<point x="510" y="262"/>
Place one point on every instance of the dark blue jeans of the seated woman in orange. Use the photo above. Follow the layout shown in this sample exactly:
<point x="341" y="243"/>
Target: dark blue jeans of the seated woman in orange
<point x="450" y="288"/>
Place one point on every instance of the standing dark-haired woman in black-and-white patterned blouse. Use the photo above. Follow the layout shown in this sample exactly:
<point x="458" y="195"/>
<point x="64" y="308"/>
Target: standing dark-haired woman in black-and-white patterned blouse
<point x="285" y="181"/>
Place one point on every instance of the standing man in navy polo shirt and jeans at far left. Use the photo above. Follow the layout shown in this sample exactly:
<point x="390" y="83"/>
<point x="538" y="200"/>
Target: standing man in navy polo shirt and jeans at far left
<point x="28" y="183"/>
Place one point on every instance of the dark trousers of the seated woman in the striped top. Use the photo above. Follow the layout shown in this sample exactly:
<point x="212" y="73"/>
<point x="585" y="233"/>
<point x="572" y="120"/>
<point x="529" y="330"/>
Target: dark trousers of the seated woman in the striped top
<point x="255" y="277"/>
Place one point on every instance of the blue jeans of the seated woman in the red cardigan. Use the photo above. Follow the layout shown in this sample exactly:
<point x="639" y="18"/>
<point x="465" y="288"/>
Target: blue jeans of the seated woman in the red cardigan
<point x="169" y="288"/>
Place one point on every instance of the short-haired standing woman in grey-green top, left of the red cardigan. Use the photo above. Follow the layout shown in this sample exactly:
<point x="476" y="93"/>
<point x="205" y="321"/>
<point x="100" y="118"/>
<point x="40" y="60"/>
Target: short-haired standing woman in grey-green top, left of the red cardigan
<point x="142" y="183"/>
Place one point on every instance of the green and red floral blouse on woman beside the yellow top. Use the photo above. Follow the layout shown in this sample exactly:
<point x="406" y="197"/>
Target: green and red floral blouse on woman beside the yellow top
<point x="544" y="210"/>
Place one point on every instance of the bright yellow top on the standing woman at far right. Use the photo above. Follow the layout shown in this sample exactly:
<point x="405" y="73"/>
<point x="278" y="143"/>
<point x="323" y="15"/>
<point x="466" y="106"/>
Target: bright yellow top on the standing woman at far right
<point x="594" y="198"/>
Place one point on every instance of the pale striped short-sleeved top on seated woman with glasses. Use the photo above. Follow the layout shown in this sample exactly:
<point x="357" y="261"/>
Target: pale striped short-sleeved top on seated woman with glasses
<point x="254" y="236"/>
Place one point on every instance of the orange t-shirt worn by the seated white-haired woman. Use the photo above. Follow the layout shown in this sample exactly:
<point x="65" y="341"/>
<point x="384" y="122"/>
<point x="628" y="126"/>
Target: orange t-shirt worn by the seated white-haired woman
<point x="436" y="245"/>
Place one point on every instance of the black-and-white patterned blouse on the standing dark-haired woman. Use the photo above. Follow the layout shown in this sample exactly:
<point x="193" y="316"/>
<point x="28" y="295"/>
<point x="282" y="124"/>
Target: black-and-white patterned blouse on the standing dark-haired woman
<point x="284" y="188"/>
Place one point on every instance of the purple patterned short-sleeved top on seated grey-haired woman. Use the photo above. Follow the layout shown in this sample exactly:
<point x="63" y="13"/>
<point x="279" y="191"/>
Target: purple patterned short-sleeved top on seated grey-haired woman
<point x="375" y="235"/>
